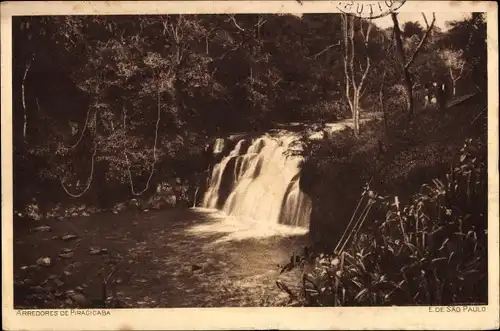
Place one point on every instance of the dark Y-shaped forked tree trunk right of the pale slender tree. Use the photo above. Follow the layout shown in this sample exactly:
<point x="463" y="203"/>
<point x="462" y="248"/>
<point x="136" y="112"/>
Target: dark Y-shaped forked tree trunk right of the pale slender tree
<point x="406" y="62"/>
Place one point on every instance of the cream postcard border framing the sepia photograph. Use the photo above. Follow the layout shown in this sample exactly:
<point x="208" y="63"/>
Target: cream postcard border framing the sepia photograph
<point x="246" y="318"/>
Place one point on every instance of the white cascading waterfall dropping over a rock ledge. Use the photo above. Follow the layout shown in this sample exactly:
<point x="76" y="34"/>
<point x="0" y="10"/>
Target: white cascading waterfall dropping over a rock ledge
<point x="259" y="182"/>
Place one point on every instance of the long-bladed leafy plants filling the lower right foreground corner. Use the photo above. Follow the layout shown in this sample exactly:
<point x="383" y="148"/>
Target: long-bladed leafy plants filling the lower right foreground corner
<point x="431" y="251"/>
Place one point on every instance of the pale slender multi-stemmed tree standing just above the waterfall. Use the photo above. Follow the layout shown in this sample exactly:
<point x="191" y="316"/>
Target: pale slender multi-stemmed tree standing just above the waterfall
<point x="354" y="81"/>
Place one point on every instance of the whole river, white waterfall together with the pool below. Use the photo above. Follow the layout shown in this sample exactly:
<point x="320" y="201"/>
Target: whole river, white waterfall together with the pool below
<point x="253" y="216"/>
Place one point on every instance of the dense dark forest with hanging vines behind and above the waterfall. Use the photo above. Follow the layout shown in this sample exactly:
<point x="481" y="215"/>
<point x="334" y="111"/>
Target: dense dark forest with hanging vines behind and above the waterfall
<point x="131" y="95"/>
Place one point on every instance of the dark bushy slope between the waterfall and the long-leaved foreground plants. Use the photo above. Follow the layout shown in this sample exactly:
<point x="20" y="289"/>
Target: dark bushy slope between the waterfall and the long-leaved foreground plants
<point x="396" y="159"/>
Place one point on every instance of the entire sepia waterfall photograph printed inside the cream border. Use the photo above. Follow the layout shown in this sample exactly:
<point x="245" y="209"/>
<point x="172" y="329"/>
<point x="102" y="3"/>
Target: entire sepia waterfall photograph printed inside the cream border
<point x="273" y="159"/>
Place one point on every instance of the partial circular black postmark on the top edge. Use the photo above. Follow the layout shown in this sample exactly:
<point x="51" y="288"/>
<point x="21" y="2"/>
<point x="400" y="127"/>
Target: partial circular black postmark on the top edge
<point x="369" y="9"/>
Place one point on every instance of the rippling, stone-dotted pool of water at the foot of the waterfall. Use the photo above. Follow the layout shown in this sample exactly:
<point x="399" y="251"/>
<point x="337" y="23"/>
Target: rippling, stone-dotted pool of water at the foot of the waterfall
<point x="171" y="258"/>
